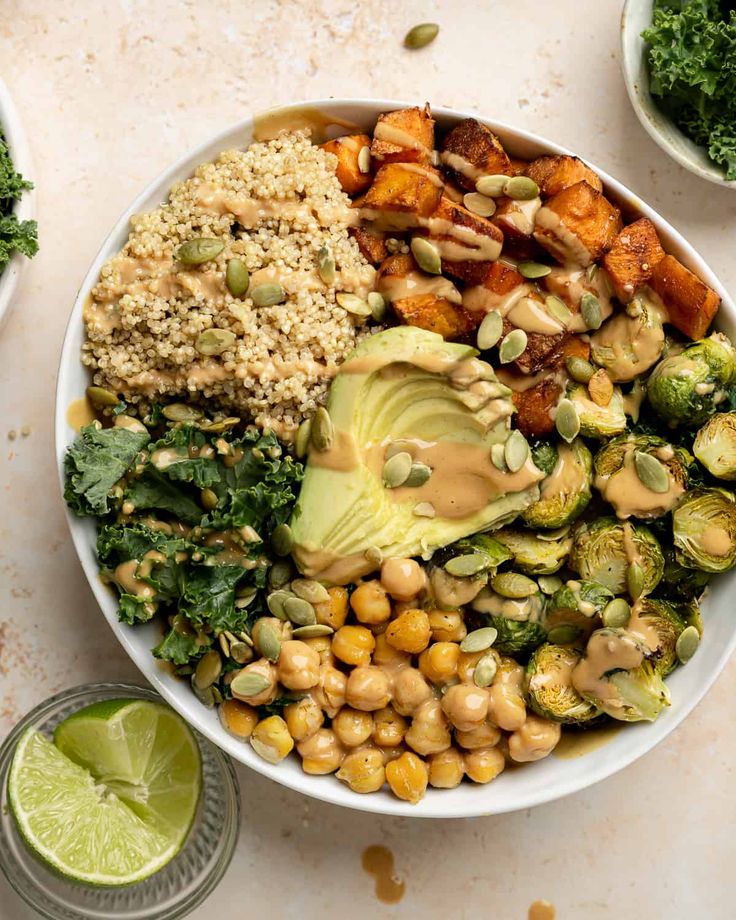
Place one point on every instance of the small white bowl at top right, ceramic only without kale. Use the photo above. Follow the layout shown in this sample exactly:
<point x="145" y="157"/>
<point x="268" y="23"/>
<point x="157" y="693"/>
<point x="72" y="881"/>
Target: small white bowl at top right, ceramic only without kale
<point x="637" y="16"/>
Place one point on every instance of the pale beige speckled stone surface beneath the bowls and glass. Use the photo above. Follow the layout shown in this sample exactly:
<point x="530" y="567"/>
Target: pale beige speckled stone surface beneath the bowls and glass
<point x="111" y="93"/>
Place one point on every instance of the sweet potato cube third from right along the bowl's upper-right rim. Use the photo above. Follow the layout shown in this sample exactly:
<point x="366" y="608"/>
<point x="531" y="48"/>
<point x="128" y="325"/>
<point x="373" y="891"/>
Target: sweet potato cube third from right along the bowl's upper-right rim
<point x="577" y="224"/>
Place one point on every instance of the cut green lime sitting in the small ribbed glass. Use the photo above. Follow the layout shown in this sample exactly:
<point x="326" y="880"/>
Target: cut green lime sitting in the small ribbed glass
<point x="113" y="800"/>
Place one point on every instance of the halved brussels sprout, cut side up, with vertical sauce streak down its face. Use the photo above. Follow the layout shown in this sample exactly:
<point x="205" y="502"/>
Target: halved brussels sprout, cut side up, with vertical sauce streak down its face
<point x="607" y="550"/>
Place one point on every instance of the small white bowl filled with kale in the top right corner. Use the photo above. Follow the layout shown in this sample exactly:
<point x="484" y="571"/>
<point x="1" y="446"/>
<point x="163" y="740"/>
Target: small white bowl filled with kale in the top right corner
<point x="679" y="62"/>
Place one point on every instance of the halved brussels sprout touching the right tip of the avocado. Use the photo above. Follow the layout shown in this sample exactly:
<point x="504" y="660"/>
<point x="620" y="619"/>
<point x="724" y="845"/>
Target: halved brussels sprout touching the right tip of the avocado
<point x="566" y="491"/>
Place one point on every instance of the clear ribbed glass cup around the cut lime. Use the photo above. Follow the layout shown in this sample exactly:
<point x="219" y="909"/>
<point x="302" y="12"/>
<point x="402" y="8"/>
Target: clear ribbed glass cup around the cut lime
<point x="175" y="890"/>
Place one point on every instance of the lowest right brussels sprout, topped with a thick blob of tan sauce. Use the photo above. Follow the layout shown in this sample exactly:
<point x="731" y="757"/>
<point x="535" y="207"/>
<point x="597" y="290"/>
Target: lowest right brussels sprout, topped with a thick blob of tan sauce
<point x="618" y="675"/>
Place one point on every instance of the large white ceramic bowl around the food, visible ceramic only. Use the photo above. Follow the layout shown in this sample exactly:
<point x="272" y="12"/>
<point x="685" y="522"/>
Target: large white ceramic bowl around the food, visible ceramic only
<point x="541" y="782"/>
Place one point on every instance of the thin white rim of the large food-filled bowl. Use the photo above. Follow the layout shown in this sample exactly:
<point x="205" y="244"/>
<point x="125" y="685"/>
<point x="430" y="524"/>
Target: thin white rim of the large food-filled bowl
<point x="333" y="792"/>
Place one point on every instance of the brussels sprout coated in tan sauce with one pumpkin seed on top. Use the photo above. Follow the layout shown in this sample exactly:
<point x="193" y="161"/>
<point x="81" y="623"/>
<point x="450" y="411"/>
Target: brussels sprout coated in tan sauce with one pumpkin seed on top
<point x="641" y="475"/>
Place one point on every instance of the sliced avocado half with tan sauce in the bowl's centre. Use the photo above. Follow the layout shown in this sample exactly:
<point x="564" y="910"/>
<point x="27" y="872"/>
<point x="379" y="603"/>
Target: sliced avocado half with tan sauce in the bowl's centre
<point x="407" y="390"/>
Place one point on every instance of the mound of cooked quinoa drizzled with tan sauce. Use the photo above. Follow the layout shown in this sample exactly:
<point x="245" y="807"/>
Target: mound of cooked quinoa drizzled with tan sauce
<point x="274" y="205"/>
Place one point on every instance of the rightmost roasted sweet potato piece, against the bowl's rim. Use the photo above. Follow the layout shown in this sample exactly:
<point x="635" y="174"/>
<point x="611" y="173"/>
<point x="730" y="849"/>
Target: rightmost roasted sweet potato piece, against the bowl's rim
<point x="690" y="303"/>
